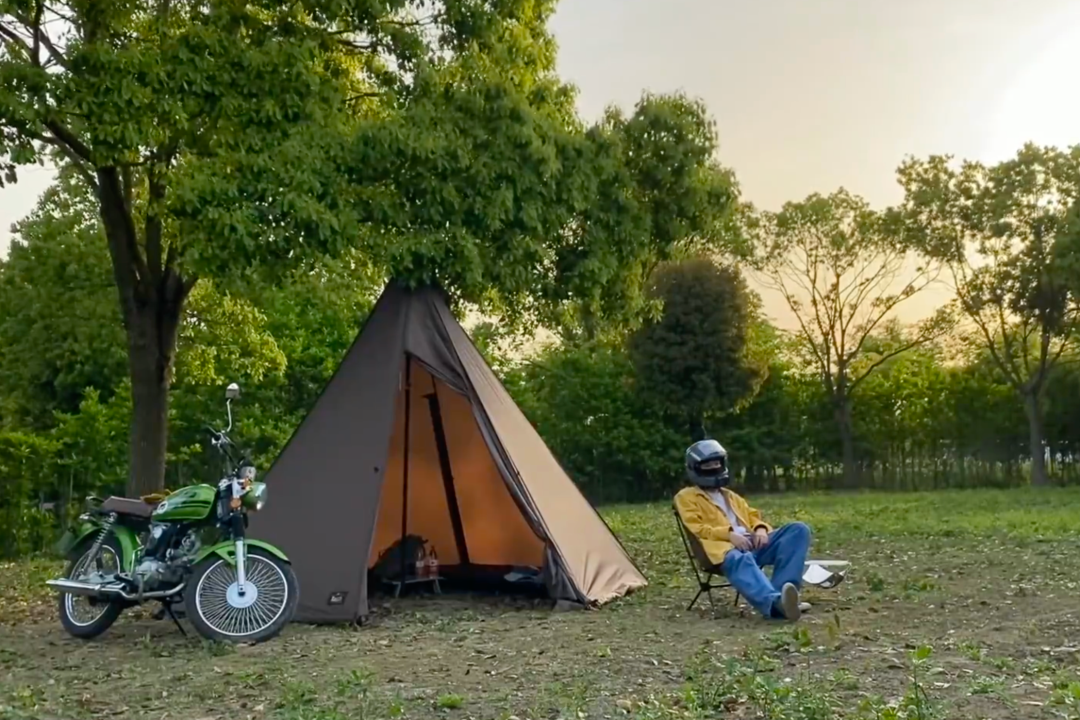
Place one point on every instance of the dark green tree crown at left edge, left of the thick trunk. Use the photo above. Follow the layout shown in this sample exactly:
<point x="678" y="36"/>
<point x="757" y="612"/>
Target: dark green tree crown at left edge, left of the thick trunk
<point x="60" y="328"/>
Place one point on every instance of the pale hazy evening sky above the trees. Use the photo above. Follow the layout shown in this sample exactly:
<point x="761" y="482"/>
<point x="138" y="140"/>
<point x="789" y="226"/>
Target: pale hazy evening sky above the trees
<point x="811" y="96"/>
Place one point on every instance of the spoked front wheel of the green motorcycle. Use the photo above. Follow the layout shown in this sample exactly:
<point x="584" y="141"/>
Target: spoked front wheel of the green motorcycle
<point x="221" y="613"/>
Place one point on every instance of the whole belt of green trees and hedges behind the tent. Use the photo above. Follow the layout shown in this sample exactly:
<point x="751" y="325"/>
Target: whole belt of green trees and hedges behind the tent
<point x="245" y="178"/>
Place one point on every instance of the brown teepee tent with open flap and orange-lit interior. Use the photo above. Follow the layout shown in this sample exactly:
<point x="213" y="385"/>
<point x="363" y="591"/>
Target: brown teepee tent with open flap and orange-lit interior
<point x="416" y="436"/>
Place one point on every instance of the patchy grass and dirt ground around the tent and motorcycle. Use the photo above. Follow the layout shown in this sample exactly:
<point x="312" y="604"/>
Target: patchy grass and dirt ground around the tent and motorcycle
<point x="960" y="605"/>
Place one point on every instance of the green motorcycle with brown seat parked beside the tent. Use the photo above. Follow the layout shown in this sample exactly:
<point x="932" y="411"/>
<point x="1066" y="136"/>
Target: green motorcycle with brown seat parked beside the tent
<point x="186" y="548"/>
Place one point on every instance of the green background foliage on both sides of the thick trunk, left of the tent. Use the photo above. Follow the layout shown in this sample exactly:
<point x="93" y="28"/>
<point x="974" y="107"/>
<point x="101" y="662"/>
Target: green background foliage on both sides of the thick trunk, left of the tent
<point x="64" y="377"/>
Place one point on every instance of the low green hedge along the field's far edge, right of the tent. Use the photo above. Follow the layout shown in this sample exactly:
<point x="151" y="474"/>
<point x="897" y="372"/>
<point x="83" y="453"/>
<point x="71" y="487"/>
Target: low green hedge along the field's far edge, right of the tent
<point x="923" y="423"/>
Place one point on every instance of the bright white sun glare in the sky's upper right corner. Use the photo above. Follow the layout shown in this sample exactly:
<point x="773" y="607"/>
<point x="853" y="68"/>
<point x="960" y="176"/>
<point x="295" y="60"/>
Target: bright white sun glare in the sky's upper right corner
<point x="1042" y="103"/>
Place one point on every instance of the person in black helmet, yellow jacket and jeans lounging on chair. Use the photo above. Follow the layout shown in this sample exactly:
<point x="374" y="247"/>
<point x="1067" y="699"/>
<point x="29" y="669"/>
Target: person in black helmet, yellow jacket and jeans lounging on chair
<point x="738" y="541"/>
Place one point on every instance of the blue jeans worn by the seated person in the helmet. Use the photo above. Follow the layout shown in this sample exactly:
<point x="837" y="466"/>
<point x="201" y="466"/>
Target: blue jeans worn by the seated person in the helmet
<point x="787" y="553"/>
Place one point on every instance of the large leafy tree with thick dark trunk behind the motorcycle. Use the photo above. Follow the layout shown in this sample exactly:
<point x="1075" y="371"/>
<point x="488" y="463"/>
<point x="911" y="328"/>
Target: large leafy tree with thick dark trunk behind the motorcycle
<point x="213" y="134"/>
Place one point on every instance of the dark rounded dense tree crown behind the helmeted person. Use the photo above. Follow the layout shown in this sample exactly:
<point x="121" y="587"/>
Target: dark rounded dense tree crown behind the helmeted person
<point x="694" y="361"/>
